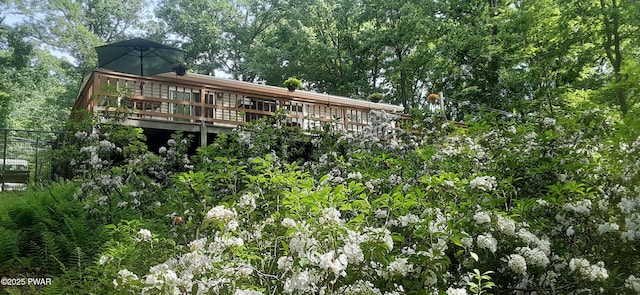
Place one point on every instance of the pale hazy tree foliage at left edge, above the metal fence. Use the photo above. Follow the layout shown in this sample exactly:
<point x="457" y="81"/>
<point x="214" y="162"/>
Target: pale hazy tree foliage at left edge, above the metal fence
<point x="36" y="88"/>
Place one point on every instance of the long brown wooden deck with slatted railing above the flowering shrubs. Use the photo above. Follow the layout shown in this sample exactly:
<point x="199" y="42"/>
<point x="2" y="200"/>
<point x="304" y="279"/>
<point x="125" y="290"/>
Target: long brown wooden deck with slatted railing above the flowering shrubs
<point x="199" y="103"/>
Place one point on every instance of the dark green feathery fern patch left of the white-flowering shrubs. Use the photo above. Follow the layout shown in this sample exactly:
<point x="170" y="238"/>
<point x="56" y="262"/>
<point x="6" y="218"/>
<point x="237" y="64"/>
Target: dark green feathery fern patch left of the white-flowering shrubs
<point x="42" y="231"/>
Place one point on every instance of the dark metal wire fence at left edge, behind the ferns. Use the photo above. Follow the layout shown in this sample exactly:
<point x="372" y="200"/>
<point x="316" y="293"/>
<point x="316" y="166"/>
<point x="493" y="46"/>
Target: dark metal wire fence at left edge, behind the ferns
<point x="34" y="146"/>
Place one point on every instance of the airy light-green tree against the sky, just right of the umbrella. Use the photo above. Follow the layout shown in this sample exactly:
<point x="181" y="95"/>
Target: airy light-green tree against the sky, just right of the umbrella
<point x="221" y="35"/>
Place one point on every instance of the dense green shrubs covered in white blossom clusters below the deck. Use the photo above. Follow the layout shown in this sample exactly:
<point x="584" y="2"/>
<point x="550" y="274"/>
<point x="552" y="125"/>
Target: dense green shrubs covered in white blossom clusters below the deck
<point x="547" y="205"/>
